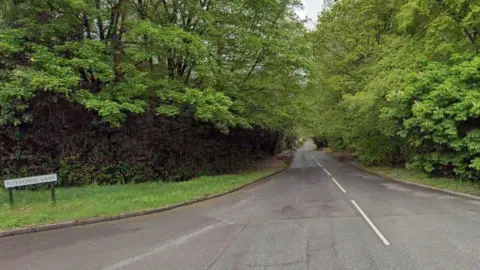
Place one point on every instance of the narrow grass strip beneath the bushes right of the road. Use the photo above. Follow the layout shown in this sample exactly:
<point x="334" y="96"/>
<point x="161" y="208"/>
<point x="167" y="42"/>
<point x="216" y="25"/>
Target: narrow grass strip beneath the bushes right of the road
<point x="406" y="175"/>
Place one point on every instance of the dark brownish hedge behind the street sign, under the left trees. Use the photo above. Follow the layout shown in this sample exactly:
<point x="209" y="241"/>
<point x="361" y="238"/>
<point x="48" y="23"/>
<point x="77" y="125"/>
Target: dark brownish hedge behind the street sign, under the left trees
<point x="70" y="140"/>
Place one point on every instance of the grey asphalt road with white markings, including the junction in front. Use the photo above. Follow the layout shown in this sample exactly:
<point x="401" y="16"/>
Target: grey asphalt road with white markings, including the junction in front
<point x="298" y="219"/>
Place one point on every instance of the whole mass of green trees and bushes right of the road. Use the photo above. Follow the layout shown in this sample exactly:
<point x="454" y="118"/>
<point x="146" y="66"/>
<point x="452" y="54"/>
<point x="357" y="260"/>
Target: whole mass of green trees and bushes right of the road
<point x="400" y="81"/>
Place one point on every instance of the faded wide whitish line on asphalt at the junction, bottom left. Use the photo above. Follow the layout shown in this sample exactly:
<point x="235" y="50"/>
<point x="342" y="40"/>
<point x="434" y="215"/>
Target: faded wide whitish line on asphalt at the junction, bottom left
<point x="159" y="248"/>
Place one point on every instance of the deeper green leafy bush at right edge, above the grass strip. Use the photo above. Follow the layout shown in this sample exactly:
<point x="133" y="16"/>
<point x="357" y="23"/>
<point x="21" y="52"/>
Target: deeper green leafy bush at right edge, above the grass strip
<point x="441" y="117"/>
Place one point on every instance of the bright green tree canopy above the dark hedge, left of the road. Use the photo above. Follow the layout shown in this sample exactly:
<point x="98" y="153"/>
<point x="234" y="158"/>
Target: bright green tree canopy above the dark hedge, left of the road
<point x="237" y="63"/>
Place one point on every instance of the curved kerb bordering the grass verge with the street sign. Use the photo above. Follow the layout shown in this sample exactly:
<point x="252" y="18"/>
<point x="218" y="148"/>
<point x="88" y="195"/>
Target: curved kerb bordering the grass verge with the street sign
<point x="80" y="222"/>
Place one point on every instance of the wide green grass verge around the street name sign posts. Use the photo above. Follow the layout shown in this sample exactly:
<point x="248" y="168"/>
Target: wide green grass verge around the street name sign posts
<point x="34" y="208"/>
